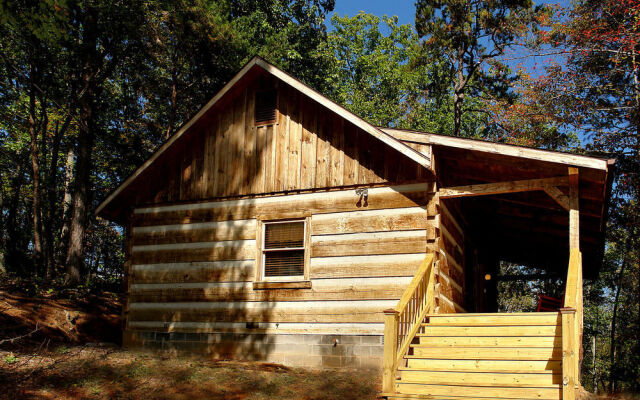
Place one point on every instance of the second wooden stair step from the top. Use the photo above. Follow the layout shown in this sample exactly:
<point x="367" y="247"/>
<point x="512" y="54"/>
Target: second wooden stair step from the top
<point x="492" y="331"/>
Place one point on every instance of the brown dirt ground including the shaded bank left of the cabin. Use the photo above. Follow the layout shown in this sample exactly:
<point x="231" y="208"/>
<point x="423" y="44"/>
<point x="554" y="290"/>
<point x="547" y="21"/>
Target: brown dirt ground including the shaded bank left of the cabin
<point x="66" y="346"/>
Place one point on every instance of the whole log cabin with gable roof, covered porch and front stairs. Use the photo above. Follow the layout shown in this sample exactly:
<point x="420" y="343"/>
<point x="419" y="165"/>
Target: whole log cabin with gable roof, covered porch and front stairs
<point x="276" y="225"/>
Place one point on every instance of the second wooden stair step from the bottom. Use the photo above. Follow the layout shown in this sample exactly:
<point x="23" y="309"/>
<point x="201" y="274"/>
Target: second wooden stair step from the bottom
<point x="540" y="379"/>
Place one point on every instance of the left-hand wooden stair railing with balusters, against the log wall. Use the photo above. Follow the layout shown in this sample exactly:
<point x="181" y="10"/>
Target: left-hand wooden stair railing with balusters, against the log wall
<point x="403" y="322"/>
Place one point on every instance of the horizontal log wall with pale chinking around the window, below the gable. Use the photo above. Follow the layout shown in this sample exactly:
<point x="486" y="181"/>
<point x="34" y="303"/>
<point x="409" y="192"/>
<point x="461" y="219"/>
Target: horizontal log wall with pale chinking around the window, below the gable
<point x="193" y="265"/>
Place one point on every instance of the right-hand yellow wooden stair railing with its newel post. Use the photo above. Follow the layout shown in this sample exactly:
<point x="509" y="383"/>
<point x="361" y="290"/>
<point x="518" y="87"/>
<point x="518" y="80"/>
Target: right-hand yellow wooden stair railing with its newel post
<point x="572" y="326"/>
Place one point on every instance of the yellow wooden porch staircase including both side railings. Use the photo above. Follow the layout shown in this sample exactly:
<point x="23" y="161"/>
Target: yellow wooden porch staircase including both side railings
<point x="481" y="356"/>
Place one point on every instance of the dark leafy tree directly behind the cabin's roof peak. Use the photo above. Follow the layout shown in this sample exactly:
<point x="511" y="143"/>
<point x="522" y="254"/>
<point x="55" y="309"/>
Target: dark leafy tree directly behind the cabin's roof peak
<point x="194" y="47"/>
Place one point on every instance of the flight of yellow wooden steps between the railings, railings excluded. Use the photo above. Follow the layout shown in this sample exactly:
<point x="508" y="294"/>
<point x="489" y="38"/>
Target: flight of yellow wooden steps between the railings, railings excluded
<point x="496" y="356"/>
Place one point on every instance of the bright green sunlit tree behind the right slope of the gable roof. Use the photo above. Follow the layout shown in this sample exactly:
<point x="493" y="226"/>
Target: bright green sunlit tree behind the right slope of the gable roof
<point x="375" y="76"/>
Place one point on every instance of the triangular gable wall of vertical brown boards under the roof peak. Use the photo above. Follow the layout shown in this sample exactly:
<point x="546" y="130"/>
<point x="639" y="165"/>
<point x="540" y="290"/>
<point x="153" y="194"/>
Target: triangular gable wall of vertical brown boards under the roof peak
<point x="307" y="148"/>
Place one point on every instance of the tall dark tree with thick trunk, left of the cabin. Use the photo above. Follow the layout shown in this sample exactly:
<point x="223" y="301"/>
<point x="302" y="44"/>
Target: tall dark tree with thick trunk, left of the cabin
<point x="105" y="33"/>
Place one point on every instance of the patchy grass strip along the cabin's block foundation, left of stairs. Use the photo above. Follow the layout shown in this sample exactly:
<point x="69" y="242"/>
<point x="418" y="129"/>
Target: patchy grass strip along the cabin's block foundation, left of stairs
<point x="79" y="372"/>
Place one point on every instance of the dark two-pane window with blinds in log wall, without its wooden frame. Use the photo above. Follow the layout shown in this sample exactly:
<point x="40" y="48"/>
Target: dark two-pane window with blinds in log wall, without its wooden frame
<point x="283" y="248"/>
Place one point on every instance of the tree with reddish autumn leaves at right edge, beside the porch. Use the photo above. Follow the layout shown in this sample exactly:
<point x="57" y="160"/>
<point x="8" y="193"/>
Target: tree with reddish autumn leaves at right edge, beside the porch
<point x="592" y="87"/>
